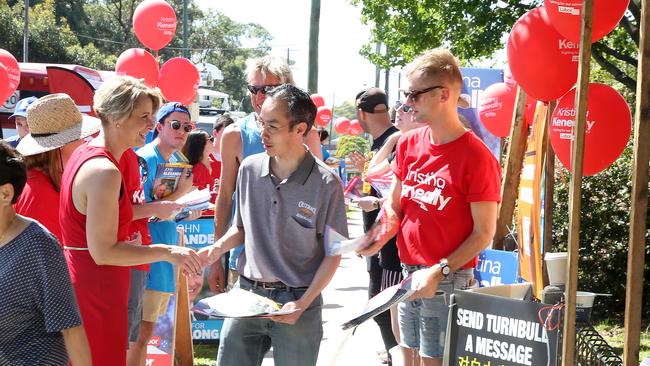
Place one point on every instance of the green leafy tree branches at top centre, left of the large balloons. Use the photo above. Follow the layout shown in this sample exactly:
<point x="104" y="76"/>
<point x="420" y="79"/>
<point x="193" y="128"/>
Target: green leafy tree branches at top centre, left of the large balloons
<point x="472" y="29"/>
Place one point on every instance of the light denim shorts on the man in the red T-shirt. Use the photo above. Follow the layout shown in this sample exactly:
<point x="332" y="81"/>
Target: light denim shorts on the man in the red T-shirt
<point x="423" y="322"/>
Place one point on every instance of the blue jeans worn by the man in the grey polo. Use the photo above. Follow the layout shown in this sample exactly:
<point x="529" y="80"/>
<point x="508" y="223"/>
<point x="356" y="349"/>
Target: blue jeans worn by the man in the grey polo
<point x="244" y="341"/>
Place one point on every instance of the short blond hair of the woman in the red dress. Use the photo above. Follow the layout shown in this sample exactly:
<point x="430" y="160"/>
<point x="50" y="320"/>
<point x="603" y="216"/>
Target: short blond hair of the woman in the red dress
<point x="115" y="100"/>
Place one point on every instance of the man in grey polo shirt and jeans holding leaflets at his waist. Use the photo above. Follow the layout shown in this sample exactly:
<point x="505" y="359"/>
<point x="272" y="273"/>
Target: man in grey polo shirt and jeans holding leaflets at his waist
<point x="284" y="200"/>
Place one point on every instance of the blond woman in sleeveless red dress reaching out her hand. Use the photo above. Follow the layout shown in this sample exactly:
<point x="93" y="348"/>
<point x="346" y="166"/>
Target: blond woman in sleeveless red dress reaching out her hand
<point x="98" y="213"/>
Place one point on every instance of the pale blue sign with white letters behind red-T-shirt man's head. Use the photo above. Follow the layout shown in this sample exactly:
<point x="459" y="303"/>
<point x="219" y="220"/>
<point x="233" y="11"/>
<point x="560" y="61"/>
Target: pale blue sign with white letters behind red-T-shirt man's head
<point x="474" y="82"/>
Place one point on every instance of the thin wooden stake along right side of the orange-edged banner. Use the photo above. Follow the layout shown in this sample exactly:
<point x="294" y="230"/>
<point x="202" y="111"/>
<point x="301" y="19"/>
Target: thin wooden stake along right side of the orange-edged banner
<point x="549" y="185"/>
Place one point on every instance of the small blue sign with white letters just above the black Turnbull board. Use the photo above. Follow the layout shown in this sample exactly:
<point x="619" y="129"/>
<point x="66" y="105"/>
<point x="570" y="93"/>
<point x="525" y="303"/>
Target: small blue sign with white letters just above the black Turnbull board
<point x="497" y="267"/>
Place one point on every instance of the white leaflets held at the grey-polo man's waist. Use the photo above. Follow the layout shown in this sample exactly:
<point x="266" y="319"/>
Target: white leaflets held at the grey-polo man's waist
<point x="238" y="303"/>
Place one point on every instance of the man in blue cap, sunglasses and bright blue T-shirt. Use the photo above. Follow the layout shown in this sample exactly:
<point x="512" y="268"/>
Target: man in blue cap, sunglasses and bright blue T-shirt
<point x="172" y="127"/>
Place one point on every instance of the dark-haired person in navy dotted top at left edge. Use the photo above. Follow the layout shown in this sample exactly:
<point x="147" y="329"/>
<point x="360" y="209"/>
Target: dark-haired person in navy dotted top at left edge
<point x="39" y="317"/>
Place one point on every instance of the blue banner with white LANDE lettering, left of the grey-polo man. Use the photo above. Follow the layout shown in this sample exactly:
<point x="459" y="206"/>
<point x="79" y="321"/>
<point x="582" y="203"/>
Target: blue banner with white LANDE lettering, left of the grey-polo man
<point x="198" y="234"/>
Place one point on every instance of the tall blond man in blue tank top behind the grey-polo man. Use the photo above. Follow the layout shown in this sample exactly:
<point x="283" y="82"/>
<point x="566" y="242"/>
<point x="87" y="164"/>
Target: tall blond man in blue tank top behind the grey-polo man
<point x="241" y="140"/>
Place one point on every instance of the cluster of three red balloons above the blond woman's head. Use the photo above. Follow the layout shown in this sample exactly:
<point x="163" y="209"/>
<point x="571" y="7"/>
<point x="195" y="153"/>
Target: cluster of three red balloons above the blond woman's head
<point x="154" y="24"/>
